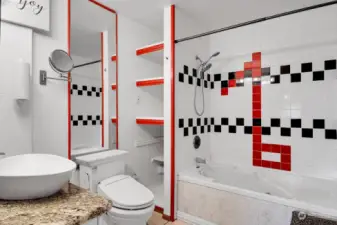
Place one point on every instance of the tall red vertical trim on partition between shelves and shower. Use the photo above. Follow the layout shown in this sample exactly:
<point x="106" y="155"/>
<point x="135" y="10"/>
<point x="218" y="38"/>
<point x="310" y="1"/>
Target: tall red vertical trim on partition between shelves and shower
<point x="173" y="177"/>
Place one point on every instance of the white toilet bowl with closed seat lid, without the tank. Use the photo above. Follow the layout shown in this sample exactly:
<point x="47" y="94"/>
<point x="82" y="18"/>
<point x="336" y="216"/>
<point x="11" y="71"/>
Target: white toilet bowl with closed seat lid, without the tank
<point x="133" y="203"/>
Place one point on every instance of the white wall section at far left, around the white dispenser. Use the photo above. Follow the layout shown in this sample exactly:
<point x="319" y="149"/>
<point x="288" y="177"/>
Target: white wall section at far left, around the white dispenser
<point x="15" y="118"/>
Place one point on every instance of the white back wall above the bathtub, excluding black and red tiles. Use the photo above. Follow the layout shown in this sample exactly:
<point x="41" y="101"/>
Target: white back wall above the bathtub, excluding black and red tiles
<point x="292" y="40"/>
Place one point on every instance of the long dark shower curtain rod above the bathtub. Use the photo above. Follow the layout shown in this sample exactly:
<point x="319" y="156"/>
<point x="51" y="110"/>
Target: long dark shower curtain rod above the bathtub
<point x="247" y="23"/>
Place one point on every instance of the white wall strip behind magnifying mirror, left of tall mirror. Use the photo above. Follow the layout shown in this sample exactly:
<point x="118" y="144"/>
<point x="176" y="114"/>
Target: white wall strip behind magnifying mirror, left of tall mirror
<point x="50" y="105"/>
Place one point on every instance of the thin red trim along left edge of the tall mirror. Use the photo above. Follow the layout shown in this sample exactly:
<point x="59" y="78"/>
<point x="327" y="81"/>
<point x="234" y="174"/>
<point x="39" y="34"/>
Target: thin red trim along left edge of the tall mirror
<point x="69" y="83"/>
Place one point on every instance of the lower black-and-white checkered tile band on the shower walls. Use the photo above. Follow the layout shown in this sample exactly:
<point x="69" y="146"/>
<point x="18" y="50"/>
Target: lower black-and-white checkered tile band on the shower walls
<point x="194" y="126"/>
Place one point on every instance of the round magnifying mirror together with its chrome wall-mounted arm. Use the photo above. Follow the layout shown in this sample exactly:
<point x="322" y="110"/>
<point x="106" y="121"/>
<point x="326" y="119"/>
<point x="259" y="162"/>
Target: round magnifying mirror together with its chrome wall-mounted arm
<point x="61" y="63"/>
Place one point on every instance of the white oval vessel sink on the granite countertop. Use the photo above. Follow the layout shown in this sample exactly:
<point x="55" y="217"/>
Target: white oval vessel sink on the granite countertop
<point x="33" y="176"/>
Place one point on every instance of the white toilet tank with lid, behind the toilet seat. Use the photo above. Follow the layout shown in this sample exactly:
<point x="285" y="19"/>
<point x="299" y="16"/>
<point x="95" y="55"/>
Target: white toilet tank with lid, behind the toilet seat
<point x="97" y="167"/>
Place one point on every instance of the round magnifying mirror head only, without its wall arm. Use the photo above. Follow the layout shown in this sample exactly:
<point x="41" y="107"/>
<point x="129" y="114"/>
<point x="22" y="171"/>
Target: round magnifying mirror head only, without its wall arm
<point x="60" y="61"/>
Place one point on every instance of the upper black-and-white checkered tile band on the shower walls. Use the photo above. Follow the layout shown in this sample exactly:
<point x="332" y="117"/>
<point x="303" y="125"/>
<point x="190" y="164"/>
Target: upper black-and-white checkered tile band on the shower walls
<point x="190" y="75"/>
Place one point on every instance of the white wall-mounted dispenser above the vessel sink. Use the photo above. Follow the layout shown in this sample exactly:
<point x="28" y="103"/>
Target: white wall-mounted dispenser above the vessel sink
<point x="22" y="81"/>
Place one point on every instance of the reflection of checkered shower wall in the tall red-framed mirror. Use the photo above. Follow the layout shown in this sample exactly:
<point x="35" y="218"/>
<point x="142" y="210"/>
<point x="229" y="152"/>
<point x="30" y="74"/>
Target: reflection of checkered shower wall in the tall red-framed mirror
<point x="86" y="100"/>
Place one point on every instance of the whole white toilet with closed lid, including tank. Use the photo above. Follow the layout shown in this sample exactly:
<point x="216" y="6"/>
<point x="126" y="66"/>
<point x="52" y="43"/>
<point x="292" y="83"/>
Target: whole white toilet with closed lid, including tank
<point x="103" y="173"/>
